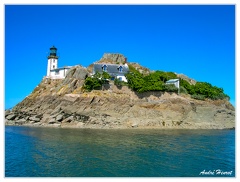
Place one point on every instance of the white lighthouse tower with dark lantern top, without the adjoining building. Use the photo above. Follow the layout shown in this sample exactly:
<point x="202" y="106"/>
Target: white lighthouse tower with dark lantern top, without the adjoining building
<point x="52" y="60"/>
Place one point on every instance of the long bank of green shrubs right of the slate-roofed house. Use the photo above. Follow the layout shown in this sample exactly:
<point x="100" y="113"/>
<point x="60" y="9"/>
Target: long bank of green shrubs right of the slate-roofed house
<point x="155" y="82"/>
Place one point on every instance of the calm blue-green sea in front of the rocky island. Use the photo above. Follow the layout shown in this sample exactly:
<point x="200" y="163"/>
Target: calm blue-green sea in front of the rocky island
<point x="58" y="152"/>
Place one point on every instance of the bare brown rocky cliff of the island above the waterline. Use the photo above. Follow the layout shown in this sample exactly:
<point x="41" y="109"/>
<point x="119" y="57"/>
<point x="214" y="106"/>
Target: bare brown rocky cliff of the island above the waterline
<point x="63" y="103"/>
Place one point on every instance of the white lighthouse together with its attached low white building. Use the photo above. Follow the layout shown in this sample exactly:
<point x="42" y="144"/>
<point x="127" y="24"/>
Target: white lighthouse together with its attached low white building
<point x="53" y="71"/>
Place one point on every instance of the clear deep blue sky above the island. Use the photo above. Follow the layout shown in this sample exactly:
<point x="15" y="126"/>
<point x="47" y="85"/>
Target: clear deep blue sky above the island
<point x="198" y="41"/>
